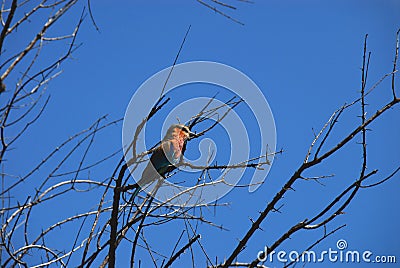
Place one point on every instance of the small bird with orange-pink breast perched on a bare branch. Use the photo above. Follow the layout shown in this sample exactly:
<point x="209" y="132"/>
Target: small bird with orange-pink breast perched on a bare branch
<point x="166" y="156"/>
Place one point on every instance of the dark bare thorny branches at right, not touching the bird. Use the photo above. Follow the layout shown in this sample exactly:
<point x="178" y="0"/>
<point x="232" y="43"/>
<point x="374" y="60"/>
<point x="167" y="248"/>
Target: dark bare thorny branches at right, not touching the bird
<point x="317" y="153"/>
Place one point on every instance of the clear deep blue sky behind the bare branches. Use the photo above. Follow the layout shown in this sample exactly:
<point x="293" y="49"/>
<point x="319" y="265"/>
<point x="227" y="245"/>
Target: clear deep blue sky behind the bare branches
<point x="305" y="56"/>
